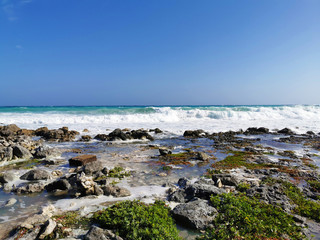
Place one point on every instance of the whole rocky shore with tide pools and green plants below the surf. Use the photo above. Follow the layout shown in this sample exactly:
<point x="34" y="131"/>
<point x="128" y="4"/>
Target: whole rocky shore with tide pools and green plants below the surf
<point x="249" y="184"/>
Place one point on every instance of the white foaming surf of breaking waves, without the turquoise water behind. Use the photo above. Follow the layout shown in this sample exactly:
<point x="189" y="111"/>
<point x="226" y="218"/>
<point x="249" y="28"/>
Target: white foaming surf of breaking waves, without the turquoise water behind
<point x="177" y="119"/>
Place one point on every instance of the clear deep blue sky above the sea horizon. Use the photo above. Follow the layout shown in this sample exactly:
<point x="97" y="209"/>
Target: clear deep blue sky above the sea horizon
<point x="153" y="52"/>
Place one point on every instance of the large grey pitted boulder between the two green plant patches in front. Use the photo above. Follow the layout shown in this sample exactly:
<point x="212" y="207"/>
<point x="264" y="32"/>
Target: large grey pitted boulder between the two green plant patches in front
<point x="197" y="214"/>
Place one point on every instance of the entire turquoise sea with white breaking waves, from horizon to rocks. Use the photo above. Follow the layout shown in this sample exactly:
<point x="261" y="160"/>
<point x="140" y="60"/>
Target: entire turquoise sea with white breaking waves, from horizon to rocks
<point x="173" y="119"/>
